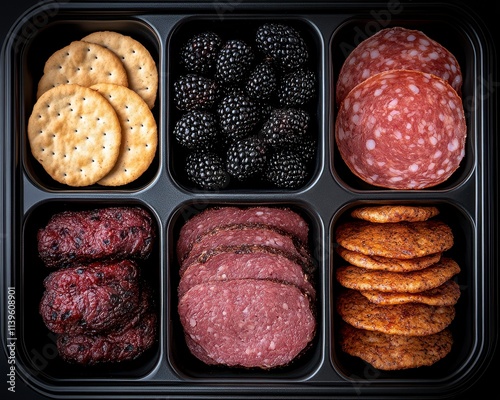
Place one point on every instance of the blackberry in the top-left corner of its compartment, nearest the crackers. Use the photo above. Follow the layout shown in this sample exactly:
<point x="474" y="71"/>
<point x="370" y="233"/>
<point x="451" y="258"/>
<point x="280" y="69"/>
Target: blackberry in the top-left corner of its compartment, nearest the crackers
<point x="199" y="53"/>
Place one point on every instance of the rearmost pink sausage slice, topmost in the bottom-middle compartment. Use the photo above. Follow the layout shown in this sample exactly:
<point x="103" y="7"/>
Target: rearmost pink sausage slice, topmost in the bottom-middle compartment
<point x="217" y="217"/>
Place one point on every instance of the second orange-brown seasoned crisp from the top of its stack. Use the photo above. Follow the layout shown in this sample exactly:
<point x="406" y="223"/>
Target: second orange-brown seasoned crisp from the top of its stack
<point x="402" y="240"/>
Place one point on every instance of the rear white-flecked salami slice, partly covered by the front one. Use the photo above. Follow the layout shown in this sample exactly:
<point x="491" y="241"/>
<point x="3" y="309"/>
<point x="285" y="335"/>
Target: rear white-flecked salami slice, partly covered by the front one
<point x="397" y="48"/>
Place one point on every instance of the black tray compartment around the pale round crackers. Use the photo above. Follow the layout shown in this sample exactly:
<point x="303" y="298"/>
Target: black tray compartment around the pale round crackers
<point x="58" y="33"/>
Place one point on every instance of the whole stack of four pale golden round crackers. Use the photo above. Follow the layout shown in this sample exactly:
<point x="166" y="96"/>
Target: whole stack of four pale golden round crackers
<point x="92" y="121"/>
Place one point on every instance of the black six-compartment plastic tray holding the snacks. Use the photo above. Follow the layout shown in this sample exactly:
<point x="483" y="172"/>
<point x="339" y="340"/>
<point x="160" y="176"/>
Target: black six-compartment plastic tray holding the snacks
<point x="331" y="30"/>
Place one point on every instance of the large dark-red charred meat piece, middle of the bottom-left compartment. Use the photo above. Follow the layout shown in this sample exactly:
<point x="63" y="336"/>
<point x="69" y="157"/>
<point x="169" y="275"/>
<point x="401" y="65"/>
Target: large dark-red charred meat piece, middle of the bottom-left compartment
<point x="96" y="297"/>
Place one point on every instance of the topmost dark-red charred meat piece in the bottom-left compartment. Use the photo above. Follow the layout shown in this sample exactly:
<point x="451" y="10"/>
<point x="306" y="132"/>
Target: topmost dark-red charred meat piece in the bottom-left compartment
<point x="106" y="233"/>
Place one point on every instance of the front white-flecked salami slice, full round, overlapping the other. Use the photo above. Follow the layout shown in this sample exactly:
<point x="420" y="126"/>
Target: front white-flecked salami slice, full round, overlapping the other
<point x="402" y="129"/>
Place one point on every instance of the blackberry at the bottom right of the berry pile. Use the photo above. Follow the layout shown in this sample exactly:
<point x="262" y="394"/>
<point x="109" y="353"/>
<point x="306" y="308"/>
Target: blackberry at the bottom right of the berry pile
<point x="286" y="169"/>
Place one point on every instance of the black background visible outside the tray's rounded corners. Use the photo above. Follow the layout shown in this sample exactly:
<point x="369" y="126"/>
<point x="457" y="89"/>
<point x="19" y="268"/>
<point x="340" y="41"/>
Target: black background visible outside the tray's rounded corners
<point x="487" y="386"/>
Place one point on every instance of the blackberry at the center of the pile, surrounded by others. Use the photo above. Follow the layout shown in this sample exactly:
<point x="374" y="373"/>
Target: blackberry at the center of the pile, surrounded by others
<point x="237" y="114"/>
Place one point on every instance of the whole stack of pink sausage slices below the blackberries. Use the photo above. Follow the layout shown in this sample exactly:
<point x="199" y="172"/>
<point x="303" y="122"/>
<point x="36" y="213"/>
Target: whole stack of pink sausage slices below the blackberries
<point x="246" y="297"/>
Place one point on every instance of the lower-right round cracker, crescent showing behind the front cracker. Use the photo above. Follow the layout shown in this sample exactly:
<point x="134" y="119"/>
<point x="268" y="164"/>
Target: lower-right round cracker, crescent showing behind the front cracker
<point x="139" y="134"/>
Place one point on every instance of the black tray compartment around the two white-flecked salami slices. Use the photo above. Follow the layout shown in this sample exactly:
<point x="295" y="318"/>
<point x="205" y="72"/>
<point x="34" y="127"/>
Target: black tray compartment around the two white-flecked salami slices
<point x="449" y="33"/>
